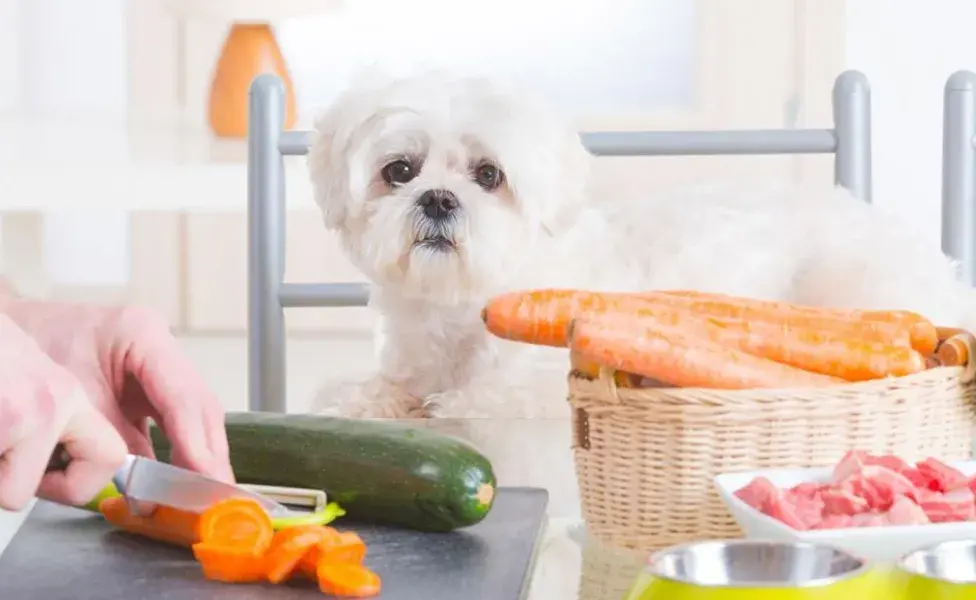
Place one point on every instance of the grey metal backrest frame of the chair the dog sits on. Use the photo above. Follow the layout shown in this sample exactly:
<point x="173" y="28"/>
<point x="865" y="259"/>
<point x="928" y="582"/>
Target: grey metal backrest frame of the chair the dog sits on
<point x="268" y="295"/>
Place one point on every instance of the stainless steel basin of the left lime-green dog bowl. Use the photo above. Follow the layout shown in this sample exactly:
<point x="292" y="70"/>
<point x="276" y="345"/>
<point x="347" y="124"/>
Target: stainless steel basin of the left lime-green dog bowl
<point x="755" y="564"/>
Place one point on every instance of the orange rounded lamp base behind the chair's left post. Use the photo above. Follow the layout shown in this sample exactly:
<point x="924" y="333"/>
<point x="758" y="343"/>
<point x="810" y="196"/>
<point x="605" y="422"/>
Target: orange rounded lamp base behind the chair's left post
<point x="249" y="50"/>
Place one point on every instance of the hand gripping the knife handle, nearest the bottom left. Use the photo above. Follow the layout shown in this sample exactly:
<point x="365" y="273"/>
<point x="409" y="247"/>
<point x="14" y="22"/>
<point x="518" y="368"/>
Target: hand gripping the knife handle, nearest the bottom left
<point x="42" y="404"/>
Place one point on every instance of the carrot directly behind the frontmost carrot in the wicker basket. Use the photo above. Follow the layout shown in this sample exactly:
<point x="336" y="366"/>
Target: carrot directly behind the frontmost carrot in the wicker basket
<point x="810" y="349"/>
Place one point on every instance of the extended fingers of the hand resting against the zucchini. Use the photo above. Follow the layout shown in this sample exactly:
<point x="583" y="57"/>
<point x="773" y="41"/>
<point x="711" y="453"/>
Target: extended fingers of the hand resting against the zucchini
<point x="190" y="415"/>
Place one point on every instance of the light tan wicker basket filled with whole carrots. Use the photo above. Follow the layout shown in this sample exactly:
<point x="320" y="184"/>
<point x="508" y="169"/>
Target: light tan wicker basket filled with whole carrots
<point x="645" y="458"/>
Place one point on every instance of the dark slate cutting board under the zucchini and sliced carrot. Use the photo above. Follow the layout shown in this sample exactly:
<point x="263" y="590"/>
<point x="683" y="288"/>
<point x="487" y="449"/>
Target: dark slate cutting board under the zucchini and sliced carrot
<point x="68" y="554"/>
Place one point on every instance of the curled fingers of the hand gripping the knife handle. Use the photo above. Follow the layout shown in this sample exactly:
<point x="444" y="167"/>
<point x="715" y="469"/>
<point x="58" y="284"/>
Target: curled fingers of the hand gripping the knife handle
<point x="96" y="450"/>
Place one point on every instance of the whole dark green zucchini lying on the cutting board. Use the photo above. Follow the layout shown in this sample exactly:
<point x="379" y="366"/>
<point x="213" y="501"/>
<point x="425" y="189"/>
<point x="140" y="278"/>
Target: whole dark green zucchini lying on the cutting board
<point x="378" y="471"/>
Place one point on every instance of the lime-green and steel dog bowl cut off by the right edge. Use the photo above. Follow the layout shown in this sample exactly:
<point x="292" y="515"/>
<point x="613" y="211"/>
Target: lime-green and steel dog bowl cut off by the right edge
<point x="945" y="571"/>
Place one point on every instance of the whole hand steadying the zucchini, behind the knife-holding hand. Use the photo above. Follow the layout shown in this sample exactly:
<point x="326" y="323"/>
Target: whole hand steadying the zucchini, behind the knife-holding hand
<point x="132" y="369"/>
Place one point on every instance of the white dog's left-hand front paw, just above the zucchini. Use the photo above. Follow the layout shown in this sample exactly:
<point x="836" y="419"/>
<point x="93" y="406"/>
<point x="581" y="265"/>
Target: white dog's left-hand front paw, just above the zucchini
<point x="371" y="399"/>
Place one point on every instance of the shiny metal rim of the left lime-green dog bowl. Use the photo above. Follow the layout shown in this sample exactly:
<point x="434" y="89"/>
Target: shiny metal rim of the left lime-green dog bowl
<point x="864" y="564"/>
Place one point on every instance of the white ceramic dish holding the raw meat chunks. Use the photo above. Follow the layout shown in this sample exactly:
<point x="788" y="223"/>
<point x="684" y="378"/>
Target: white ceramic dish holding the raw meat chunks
<point x="882" y="544"/>
